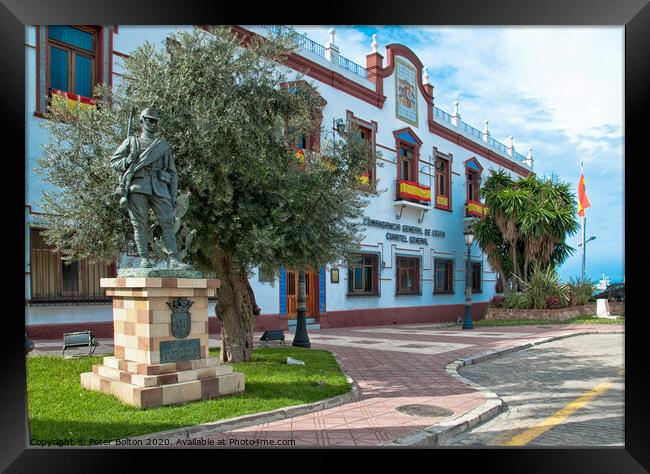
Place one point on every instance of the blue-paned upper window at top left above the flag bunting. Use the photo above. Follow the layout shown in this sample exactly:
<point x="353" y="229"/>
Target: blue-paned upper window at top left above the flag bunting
<point x="72" y="51"/>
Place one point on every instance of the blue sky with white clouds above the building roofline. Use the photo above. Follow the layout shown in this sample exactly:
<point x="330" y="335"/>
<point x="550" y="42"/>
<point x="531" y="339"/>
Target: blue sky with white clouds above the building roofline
<point x="557" y="90"/>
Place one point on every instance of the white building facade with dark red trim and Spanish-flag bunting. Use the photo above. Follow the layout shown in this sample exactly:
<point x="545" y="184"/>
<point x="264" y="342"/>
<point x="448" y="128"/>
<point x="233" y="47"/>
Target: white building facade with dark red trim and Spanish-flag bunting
<point x="423" y="186"/>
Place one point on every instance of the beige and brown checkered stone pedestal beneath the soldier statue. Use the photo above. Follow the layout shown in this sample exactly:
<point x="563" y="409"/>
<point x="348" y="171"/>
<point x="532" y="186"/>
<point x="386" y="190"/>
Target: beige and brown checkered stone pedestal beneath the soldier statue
<point x="160" y="358"/>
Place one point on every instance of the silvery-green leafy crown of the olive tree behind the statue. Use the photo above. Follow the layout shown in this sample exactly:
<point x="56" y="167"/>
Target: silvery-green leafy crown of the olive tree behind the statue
<point x="231" y="129"/>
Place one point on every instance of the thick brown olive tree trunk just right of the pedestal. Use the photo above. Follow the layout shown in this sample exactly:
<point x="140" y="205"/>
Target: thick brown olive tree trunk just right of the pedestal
<point x="236" y="309"/>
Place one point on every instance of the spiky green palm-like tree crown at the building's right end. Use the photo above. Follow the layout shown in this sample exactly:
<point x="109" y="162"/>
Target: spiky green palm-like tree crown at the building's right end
<point x="527" y="224"/>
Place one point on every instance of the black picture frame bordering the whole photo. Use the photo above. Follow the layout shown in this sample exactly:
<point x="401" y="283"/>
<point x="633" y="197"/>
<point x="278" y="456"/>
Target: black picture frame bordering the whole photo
<point x="634" y="15"/>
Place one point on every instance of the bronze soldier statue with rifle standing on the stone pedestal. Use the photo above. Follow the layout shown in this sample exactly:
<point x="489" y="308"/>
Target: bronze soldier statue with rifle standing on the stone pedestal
<point x="149" y="179"/>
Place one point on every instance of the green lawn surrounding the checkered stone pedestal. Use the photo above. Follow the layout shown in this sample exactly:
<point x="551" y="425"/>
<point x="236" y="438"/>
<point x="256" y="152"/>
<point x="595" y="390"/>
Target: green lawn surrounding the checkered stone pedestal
<point x="60" y="409"/>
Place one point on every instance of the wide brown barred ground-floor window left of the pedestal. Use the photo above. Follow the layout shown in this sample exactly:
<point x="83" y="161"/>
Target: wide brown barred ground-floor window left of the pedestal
<point x="54" y="280"/>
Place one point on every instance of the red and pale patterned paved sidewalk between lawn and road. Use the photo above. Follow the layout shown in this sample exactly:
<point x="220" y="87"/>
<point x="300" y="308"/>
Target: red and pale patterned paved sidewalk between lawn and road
<point x="393" y="366"/>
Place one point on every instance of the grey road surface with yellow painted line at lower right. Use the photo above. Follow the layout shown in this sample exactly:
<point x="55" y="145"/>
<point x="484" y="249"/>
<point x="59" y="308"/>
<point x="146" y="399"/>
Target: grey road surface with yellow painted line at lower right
<point x="564" y="393"/>
